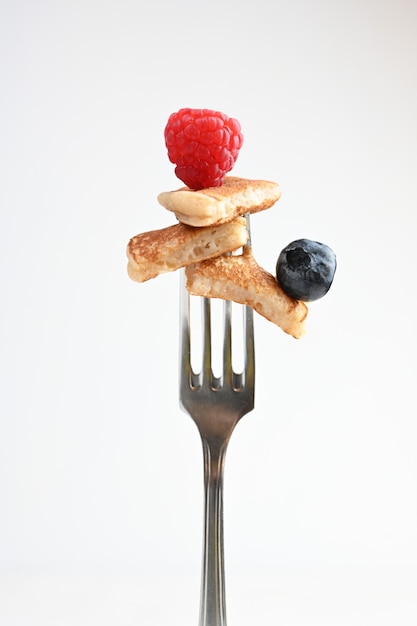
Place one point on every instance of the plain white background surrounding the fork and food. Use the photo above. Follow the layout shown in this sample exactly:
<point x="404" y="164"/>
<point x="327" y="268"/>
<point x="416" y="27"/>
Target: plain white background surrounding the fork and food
<point x="100" y="471"/>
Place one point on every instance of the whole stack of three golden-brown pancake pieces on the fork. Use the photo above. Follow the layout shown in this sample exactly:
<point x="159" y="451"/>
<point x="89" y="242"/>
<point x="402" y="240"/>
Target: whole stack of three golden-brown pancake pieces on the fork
<point x="211" y="225"/>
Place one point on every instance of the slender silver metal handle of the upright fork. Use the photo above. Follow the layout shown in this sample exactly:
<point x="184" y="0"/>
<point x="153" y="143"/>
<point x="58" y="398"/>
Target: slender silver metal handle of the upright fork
<point x="212" y="600"/>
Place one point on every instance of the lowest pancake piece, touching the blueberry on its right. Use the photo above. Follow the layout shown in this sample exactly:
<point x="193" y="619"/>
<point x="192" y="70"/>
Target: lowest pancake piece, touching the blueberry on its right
<point x="241" y="279"/>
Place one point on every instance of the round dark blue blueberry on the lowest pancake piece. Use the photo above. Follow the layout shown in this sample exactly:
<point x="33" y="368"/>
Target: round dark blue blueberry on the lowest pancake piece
<point x="305" y="269"/>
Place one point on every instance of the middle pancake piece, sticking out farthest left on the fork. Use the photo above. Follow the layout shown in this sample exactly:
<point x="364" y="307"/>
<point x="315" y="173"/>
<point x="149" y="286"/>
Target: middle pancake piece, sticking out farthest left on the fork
<point x="155" y="252"/>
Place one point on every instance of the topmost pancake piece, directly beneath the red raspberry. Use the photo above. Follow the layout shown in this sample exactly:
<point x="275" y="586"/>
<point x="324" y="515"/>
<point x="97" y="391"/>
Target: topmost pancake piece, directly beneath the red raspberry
<point x="215" y="205"/>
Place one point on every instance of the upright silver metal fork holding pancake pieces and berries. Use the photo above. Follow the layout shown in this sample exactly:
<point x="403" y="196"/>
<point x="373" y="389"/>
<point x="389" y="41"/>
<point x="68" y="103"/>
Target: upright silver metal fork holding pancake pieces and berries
<point x="216" y="404"/>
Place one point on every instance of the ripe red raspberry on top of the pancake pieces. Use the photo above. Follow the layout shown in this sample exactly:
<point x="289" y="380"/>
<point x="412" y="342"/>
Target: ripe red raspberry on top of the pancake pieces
<point x="204" y="146"/>
